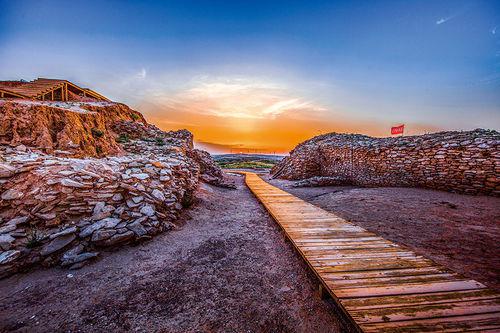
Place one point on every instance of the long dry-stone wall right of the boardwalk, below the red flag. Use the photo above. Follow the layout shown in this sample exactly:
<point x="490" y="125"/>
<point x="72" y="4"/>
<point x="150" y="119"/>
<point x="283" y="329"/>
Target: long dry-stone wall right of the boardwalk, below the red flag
<point x="464" y="162"/>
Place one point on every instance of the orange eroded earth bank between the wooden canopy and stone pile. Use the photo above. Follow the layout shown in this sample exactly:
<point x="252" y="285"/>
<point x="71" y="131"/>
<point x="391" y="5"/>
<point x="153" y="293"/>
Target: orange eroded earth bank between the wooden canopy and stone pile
<point x="81" y="129"/>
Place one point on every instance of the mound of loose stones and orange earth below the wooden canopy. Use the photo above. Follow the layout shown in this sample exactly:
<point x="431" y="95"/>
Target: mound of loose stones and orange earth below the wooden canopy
<point x="58" y="209"/>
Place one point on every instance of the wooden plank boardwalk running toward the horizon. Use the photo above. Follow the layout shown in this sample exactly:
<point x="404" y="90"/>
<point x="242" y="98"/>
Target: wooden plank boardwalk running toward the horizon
<point x="380" y="286"/>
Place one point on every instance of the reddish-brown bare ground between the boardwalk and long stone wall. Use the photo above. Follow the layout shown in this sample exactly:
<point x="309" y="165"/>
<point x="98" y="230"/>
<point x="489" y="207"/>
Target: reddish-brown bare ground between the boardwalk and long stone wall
<point x="461" y="232"/>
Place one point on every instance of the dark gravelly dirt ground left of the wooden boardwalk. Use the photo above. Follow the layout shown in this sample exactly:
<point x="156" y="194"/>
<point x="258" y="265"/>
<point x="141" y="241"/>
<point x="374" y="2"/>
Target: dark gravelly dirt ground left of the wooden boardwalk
<point x="226" y="269"/>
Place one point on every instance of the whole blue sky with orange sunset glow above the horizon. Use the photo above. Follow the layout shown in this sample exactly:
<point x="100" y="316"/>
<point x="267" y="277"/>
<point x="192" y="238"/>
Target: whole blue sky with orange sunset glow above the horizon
<point x="265" y="75"/>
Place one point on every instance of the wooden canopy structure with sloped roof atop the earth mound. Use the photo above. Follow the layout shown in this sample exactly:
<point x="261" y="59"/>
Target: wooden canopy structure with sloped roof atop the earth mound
<point x="48" y="90"/>
